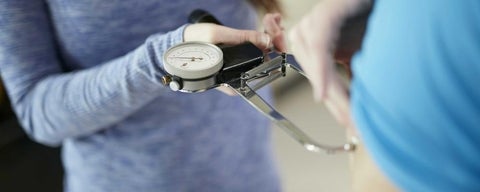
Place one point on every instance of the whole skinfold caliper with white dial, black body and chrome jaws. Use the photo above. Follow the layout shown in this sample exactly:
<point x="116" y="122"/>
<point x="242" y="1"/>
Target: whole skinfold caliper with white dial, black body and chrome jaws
<point x="198" y="66"/>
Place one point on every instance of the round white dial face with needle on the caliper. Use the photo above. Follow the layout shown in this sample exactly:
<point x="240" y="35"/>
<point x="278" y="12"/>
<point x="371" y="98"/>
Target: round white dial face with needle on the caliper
<point x="193" y="60"/>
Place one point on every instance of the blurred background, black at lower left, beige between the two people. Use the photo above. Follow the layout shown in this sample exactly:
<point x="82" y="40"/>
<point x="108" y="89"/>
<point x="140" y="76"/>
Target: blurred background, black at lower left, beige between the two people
<point x="21" y="159"/>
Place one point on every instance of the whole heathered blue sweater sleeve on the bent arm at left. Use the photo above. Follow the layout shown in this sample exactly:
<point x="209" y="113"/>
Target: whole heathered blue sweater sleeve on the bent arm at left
<point x="52" y="104"/>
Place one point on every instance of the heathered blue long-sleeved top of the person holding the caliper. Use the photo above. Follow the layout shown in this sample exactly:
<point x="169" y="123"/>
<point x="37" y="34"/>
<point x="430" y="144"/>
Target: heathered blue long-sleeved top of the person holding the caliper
<point x="86" y="74"/>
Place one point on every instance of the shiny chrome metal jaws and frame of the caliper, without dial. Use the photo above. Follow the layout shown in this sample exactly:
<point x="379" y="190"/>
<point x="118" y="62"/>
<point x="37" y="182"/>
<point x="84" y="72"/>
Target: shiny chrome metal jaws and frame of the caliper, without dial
<point x="263" y="75"/>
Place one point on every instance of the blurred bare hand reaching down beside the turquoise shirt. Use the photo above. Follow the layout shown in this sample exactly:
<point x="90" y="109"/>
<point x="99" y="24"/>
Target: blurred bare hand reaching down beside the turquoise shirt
<point x="313" y="42"/>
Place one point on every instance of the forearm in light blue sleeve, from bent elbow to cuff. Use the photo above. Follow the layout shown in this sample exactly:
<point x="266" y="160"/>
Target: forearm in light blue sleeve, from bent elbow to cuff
<point x="80" y="103"/>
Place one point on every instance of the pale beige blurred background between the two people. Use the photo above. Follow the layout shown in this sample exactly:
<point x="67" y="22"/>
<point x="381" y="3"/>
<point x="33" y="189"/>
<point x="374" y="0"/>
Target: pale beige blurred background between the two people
<point x="301" y="170"/>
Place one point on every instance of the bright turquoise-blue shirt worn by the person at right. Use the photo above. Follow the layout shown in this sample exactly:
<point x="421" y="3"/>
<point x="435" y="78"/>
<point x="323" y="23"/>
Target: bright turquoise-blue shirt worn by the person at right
<point x="416" y="93"/>
